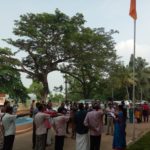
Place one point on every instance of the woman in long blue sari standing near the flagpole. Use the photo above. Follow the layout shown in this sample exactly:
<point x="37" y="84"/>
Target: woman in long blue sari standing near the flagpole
<point x="119" y="139"/>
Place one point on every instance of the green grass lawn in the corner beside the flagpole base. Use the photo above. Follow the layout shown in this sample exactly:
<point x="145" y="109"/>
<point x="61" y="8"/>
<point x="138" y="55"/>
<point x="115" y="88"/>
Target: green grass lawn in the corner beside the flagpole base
<point x="141" y="144"/>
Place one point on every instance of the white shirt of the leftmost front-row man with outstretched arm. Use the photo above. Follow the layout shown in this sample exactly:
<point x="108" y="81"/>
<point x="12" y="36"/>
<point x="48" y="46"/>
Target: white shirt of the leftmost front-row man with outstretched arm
<point x="9" y="124"/>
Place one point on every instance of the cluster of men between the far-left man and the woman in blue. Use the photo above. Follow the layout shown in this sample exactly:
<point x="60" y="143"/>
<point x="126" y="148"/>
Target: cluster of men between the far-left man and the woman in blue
<point x="82" y="121"/>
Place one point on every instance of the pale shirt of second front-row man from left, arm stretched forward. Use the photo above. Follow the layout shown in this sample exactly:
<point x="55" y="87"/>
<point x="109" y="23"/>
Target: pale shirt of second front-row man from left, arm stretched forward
<point x="40" y="123"/>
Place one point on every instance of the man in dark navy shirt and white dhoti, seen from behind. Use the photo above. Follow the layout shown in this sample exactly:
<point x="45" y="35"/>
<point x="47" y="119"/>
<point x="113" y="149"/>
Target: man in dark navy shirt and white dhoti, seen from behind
<point x="82" y="139"/>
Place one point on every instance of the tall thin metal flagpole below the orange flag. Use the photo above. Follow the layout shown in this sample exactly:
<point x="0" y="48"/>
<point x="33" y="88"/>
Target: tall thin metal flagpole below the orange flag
<point x="133" y="98"/>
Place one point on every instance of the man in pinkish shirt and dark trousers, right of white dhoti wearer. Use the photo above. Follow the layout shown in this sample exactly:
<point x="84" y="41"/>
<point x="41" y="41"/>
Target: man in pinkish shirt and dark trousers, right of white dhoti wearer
<point x="94" y="121"/>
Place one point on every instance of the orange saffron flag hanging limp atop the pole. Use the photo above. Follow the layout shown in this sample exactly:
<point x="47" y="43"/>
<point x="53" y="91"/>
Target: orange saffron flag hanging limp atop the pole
<point x="132" y="12"/>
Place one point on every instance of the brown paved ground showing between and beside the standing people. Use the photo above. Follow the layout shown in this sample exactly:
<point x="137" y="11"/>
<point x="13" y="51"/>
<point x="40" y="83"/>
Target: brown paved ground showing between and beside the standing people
<point x="24" y="141"/>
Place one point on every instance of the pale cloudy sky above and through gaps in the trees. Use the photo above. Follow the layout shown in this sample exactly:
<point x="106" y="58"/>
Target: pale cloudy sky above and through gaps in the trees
<point x="110" y="14"/>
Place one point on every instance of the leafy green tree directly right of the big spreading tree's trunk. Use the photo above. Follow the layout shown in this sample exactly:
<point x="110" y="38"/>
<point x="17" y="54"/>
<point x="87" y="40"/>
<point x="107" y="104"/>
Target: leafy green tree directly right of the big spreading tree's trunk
<point x="96" y="58"/>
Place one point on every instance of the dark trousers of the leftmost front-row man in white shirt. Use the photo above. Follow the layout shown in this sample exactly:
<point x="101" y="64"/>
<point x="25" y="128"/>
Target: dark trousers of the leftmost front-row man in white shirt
<point x="8" y="142"/>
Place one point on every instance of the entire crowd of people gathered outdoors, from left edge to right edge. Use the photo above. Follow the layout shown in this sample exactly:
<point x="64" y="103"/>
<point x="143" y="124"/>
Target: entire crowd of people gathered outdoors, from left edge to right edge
<point x="83" y="121"/>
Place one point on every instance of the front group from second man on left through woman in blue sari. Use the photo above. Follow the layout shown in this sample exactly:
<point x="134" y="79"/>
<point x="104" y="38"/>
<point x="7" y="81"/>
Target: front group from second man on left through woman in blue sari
<point x="86" y="123"/>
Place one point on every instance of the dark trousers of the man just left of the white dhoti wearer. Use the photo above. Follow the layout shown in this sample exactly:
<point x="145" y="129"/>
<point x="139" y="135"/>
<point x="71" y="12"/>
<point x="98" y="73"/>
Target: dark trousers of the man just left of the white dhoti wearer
<point x="59" y="142"/>
